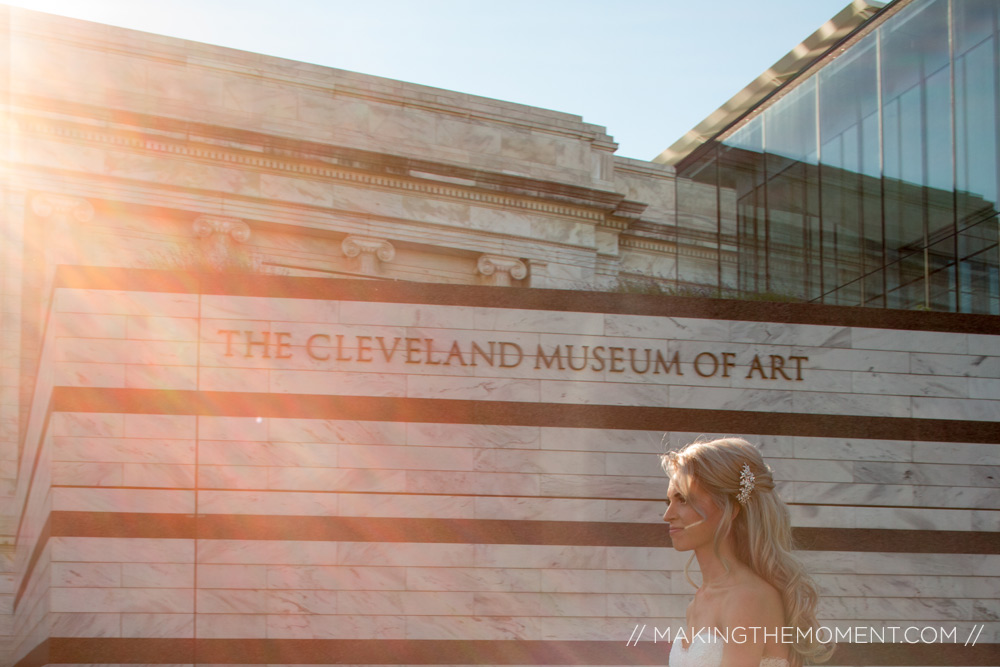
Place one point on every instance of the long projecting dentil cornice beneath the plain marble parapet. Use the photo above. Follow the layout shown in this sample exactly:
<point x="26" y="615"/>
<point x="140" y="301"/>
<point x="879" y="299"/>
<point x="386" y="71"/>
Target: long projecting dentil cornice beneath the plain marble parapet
<point x="530" y="194"/>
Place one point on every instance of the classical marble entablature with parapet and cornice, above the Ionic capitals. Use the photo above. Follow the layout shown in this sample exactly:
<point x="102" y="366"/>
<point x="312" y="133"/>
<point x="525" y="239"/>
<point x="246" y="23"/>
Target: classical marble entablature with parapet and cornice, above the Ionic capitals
<point x="302" y="149"/>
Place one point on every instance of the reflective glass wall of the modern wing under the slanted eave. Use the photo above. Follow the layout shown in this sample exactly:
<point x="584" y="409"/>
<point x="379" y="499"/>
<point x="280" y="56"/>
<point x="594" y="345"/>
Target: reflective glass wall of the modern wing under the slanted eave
<point x="872" y="181"/>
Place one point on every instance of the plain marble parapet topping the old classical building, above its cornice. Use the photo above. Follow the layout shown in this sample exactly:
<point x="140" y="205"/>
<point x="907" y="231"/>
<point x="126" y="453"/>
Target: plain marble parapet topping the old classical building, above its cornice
<point x="75" y="62"/>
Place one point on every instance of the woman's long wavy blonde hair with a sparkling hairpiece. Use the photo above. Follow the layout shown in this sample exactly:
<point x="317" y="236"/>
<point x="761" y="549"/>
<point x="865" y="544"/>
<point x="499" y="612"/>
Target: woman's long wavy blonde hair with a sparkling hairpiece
<point x="760" y="531"/>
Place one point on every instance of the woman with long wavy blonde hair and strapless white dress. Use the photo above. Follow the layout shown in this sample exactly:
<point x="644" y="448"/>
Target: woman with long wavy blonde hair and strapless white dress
<point x="722" y="506"/>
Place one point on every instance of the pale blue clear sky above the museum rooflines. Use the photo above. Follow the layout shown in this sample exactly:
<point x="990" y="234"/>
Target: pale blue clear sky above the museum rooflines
<point x="647" y="70"/>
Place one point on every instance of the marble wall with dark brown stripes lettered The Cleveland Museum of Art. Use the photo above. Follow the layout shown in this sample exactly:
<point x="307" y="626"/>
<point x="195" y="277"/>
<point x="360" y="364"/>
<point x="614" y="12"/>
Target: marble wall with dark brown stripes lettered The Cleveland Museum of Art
<point x="267" y="470"/>
